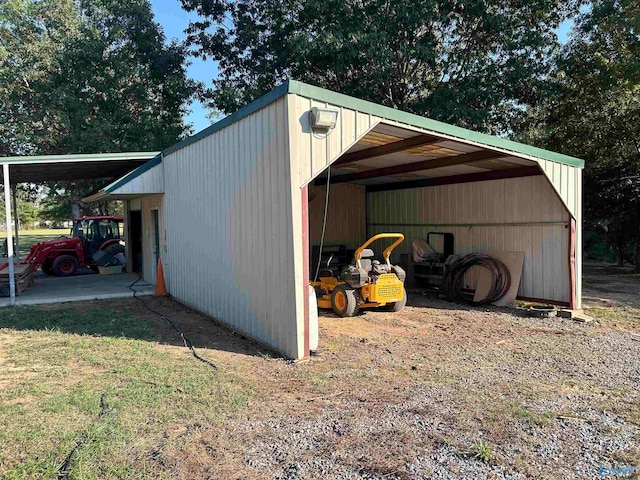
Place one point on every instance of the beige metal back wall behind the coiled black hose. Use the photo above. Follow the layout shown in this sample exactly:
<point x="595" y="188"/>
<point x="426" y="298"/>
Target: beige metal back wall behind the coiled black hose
<point x="520" y="214"/>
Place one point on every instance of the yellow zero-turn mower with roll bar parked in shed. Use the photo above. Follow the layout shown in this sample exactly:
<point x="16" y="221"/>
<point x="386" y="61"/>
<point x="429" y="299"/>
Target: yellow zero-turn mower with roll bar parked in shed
<point x="366" y="284"/>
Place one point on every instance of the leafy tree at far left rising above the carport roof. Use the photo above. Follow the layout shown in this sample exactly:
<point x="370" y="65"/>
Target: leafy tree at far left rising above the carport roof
<point x="105" y="82"/>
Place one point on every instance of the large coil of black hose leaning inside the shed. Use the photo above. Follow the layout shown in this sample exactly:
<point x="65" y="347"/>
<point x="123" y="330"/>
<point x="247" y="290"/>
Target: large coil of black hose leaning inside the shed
<point x="454" y="279"/>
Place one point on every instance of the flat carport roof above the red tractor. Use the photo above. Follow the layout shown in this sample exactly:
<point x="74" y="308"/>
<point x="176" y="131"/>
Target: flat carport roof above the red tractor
<point x="40" y="168"/>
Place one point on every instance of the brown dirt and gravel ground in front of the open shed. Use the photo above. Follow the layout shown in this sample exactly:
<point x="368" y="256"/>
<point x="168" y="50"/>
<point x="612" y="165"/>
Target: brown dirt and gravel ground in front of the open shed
<point x="437" y="391"/>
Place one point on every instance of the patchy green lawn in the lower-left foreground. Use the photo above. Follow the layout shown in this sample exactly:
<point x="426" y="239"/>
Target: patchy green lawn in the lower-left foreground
<point x="57" y="363"/>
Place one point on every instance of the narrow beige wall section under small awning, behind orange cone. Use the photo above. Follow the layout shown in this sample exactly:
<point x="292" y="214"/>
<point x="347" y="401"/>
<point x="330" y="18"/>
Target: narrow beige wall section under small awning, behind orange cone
<point x="149" y="266"/>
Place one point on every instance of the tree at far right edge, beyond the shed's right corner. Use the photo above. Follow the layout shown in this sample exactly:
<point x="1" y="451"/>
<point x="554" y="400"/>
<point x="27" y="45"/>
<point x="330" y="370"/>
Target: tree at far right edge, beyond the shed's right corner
<point x="594" y="115"/>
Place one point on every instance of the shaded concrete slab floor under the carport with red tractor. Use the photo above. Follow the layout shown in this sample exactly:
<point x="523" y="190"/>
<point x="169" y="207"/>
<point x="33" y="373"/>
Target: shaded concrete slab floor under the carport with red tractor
<point x="86" y="286"/>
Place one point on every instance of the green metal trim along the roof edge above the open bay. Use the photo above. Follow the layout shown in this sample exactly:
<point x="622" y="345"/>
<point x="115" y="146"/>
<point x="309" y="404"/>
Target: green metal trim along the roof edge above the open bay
<point x="338" y="99"/>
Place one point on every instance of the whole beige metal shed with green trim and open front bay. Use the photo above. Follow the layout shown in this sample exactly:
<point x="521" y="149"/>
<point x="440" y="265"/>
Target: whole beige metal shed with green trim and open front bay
<point x="232" y="211"/>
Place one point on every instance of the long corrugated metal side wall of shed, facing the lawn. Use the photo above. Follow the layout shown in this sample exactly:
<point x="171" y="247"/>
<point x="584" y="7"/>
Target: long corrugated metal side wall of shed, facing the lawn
<point x="230" y="242"/>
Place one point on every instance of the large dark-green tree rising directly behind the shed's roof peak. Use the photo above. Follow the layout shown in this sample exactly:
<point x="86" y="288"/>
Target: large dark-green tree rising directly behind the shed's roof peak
<point x="473" y="63"/>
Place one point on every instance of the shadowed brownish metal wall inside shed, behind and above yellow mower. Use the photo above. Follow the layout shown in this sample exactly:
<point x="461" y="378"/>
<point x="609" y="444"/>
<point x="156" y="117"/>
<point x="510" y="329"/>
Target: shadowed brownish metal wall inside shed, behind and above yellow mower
<point x="346" y="215"/>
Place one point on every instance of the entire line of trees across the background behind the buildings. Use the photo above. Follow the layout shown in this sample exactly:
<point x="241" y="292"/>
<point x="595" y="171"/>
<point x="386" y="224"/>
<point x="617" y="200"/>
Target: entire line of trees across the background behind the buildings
<point x="98" y="75"/>
